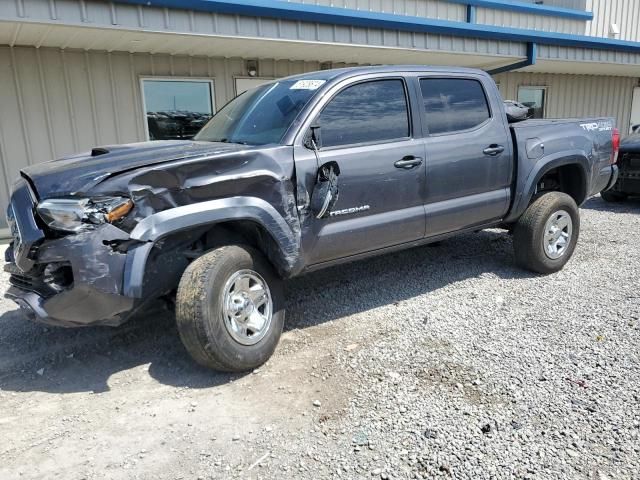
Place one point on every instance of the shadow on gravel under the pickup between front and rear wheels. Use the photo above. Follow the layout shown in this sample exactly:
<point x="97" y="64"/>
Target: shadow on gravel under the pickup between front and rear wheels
<point x="361" y="286"/>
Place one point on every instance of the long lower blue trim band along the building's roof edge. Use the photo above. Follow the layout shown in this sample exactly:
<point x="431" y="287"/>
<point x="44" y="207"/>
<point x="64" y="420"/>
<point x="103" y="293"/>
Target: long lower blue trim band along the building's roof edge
<point x="365" y="19"/>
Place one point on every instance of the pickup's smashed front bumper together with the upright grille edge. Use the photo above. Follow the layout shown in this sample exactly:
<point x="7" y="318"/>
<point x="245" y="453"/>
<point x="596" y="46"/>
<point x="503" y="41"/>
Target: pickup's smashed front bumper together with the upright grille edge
<point x="75" y="280"/>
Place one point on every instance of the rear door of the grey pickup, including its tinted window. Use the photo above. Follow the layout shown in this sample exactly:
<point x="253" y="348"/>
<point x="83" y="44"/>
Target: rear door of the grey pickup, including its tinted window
<point x="468" y="152"/>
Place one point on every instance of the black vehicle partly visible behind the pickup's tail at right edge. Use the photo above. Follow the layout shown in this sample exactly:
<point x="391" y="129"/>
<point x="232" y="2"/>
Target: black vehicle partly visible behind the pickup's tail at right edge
<point x="628" y="183"/>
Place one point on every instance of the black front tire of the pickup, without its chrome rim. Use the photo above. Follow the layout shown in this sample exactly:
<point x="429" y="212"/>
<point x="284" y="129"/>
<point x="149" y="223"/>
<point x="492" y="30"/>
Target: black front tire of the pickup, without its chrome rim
<point x="199" y="310"/>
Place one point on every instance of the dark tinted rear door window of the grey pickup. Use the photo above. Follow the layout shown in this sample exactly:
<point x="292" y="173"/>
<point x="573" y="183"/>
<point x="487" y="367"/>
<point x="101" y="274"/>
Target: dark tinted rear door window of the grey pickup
<point x="453" y="104"/>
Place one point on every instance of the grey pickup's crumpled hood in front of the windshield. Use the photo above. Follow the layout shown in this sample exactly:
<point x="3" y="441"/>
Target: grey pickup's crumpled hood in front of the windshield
<point x="81" y="172"/>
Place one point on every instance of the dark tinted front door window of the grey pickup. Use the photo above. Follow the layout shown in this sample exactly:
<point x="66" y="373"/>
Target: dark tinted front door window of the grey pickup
<point x="366" y="112"/>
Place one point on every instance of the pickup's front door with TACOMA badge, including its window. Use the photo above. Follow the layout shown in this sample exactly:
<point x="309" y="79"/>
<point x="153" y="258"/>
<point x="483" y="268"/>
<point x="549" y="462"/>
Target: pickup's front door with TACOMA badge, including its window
<point x="366" y="129"/>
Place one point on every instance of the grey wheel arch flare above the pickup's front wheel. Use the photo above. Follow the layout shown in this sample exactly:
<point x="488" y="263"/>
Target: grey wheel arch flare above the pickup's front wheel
<point x="161" y="224"/>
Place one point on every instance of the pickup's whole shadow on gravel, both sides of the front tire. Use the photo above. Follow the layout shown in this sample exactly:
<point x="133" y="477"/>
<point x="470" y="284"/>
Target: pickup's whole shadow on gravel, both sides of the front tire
<point x="34" y="357"/>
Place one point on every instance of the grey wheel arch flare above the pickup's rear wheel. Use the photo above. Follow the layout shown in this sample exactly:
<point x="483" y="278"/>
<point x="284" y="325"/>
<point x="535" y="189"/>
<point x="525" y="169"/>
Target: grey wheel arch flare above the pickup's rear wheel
<point x="525" y="189"/>
